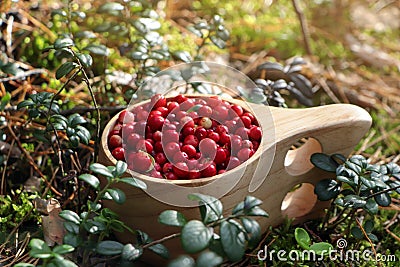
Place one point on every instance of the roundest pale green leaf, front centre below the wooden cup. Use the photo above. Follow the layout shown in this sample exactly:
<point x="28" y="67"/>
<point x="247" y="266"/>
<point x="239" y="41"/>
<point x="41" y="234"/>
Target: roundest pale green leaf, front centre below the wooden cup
<point x="195" y="236"/>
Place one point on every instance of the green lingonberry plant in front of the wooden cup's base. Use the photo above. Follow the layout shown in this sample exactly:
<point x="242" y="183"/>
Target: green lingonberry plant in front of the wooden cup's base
<point x="87" y="232"/>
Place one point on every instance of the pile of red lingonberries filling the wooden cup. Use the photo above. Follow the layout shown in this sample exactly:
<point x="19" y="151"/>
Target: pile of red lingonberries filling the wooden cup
<point x="184" y="138"/>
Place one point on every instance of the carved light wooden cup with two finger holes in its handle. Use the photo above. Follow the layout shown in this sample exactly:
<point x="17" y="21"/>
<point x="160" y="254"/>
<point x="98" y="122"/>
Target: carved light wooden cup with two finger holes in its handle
<point x="332" y="129"/>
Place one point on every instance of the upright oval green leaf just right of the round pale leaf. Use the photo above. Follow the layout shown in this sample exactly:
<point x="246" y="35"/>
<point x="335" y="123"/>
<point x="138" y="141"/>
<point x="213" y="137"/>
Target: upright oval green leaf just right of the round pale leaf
<point x="233" y="240"/>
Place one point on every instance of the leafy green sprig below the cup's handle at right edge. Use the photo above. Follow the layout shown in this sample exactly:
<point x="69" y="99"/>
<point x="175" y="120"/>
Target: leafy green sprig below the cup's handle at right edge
<point x="358" y="185"/>
